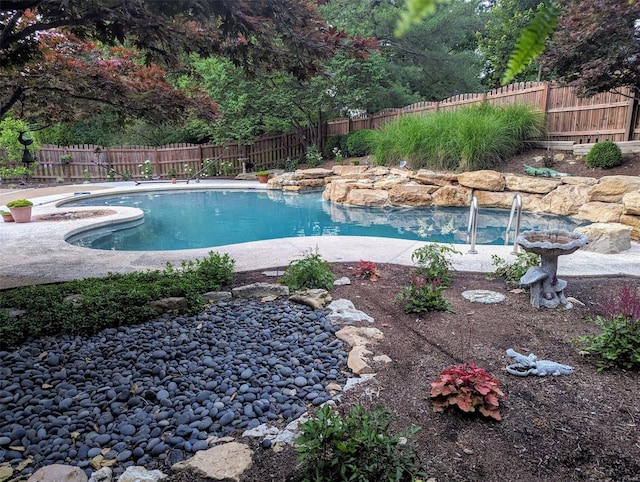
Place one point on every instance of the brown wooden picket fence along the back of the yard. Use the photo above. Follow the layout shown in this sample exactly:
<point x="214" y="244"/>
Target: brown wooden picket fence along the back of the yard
<point x="568" y="118"/>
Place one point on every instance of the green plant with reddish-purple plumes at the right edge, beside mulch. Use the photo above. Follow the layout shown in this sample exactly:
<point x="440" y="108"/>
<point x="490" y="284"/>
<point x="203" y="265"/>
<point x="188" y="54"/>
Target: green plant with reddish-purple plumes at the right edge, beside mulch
<point x="619" y="343"/>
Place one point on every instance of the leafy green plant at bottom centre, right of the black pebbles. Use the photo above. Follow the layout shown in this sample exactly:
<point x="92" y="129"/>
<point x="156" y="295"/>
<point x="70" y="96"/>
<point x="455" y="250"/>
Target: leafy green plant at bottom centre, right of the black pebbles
<point x="358" y="447"/>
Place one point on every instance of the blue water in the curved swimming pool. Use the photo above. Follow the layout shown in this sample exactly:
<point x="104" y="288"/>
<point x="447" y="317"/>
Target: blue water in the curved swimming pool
<point x="210" y="218"/>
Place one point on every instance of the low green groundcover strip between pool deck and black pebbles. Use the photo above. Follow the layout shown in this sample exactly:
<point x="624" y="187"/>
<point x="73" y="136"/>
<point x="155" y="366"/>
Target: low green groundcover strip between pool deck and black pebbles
<point x="84" y="307"/>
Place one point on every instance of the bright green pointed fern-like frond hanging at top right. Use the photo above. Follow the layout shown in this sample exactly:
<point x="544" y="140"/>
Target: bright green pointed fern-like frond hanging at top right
<point x="532" y="40"/>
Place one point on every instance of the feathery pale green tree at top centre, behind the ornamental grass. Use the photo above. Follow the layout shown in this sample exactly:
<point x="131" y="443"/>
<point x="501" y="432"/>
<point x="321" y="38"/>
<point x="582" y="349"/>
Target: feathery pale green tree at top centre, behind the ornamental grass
<point x="434" y="59"/>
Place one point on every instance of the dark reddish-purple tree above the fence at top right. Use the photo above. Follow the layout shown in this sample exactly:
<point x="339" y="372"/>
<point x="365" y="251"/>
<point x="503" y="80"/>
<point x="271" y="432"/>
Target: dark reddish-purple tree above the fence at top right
<point x="596" y="47"/>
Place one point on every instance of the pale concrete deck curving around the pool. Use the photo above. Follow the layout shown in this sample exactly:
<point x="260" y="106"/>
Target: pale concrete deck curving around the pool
<point x="37" y="252"/>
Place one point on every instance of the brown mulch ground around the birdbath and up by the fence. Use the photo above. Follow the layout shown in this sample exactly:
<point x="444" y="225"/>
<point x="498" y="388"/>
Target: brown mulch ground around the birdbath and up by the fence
<point x="579" y="427"/>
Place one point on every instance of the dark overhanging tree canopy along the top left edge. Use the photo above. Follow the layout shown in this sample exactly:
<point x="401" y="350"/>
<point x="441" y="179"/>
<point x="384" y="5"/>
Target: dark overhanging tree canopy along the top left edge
<point x="255" y="34"/>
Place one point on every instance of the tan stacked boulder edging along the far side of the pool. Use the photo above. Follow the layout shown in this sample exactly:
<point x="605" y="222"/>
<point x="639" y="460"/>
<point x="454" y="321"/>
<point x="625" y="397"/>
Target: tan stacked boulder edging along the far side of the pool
<point x="610" y="199"/>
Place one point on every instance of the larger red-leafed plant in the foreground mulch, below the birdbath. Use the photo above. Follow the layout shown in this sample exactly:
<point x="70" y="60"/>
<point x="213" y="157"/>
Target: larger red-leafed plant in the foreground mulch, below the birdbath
<point x="469" y="388"/>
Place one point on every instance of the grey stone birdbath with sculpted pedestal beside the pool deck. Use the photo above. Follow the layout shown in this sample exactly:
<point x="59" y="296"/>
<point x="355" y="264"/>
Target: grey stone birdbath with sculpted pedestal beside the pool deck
<point x="546" y="289"/>
